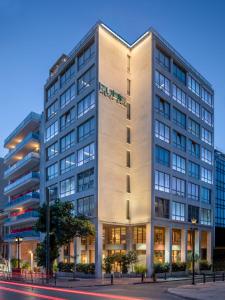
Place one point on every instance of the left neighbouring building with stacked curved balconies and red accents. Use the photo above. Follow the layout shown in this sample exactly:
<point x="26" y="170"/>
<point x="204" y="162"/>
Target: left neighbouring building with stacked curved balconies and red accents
<point x="22" y="173"/>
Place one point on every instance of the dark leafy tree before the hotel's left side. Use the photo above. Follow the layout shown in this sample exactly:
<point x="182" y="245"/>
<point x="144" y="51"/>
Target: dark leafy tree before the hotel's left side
<point x="64" y="227"/>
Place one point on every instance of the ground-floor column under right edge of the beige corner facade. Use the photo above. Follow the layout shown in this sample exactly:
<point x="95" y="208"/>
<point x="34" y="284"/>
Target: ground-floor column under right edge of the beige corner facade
<point x="149" y="248"/>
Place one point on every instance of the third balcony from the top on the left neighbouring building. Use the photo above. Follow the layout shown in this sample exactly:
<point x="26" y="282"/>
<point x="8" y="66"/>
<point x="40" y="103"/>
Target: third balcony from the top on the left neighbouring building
<point x="27" y="163"/>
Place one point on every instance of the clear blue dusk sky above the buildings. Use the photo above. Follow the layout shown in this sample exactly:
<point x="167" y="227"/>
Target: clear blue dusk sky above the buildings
<point x="34" y="33"/>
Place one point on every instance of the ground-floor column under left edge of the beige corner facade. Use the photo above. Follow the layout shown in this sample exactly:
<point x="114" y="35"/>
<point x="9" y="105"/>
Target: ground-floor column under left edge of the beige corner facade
<point x="98" y="250"/>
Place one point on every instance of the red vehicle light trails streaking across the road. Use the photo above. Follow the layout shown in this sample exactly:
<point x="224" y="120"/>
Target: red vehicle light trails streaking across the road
<point x="77" y="292"/>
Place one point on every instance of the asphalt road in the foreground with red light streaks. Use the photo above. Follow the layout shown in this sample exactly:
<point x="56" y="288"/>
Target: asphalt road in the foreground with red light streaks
<point x="19" y="291"/>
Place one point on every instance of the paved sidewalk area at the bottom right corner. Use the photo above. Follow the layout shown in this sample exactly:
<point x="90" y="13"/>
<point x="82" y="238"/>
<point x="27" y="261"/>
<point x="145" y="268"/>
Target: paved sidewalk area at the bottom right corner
<point x="210" y="290"/>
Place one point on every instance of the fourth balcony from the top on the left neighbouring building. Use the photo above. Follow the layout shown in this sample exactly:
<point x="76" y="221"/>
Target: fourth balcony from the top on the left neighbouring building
<point x="24" y="183"/>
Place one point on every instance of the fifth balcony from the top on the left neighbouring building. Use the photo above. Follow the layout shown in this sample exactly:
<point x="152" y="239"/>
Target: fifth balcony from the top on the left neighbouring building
<point x="24" y="201"/>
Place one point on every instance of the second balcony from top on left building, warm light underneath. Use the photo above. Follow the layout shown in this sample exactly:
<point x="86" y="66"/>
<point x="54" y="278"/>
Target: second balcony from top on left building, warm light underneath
<point x="28" y="144"/>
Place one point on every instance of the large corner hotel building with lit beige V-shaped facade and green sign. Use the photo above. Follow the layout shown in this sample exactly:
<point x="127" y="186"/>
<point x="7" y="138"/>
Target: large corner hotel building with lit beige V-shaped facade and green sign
<point x="129" y="139"/>
